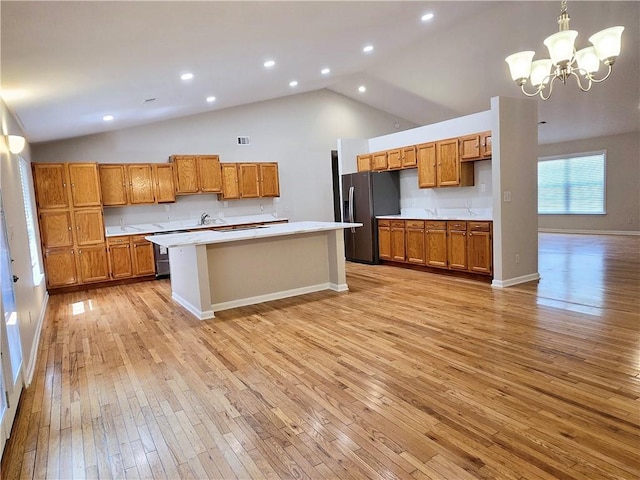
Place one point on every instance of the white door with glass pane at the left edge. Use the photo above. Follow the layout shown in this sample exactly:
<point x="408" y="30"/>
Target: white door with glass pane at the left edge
<point x="10" y="347"/>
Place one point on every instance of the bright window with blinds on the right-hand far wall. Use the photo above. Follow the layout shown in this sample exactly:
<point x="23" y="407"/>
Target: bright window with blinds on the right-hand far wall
<point x="572" y="184"/>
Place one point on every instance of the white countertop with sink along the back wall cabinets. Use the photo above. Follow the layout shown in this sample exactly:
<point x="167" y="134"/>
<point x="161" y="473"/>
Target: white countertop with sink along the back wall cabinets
<point x="145" y="228"/>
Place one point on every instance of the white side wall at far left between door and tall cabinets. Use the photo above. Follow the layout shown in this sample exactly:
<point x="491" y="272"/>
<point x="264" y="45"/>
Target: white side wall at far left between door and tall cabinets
<point x="30" y="299"/>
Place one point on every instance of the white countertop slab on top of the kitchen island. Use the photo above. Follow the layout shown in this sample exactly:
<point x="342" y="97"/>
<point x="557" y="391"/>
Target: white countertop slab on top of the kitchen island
<point x="212" y="236"/>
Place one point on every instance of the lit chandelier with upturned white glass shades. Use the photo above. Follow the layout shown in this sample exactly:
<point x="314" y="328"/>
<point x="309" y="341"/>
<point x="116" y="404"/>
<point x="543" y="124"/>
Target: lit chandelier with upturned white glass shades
<point x="565" y="61"/>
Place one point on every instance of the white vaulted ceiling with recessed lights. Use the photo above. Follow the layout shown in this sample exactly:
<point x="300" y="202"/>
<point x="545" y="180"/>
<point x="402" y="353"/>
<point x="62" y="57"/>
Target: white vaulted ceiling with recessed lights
<point x="66" y="64"/>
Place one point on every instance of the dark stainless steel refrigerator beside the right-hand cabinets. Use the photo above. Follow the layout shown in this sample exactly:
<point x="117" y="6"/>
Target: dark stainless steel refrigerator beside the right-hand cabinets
<point x="366" y="195"/>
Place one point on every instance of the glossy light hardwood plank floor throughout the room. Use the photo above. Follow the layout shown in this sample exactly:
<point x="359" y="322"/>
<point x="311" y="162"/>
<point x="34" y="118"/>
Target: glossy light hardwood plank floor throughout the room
<point x="408" y="375"/>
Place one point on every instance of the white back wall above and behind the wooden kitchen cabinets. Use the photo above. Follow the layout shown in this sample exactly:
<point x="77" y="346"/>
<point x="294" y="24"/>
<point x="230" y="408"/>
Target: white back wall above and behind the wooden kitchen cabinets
<point x="298" y="132"/>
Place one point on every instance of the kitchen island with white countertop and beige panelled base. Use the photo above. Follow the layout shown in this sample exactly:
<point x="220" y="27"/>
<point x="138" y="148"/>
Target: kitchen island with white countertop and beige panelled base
<point x="218" y="270"/>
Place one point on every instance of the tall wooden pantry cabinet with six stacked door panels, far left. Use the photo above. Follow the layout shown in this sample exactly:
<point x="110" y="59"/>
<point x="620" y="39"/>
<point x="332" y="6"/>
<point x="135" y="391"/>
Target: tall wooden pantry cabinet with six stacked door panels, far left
<point x="71" y="223"/>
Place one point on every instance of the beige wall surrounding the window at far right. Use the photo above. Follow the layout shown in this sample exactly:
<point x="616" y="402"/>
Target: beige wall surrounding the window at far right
<point x="622" y="185"/>
